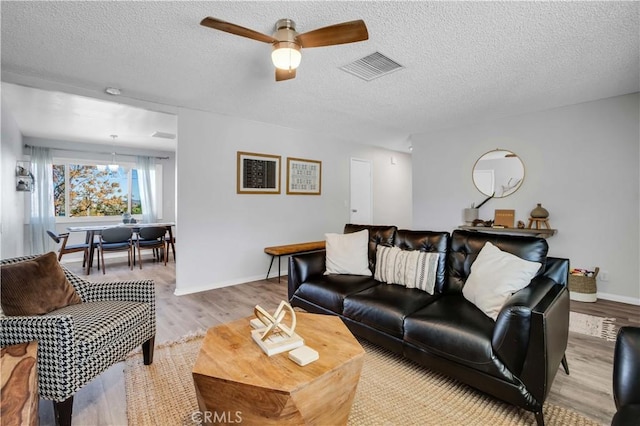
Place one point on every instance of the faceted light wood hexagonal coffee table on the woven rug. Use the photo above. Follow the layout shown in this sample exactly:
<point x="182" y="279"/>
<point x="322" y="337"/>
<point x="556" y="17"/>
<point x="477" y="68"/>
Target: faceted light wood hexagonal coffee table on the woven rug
<point x="237" y="382"/>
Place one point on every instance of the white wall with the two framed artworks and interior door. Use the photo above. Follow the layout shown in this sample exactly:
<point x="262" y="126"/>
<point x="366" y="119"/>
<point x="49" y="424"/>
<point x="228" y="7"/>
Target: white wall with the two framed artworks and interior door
<point x="223" y="234"/>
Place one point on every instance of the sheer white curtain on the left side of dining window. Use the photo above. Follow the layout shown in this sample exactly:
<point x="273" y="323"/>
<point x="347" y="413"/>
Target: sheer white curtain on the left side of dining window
<point x="42" y="211"/>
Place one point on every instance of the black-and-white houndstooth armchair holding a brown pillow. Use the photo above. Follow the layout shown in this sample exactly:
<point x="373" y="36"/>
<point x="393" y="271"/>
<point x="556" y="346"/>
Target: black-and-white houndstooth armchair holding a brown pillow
<point x="78" y="342"/>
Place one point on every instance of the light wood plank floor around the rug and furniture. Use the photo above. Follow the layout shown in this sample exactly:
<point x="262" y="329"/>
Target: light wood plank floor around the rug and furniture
<point x="103" y="401"/>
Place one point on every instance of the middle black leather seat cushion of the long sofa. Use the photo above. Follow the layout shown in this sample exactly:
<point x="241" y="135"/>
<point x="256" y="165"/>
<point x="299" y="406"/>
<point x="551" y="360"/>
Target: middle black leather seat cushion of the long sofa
<point x="384" y="307"/>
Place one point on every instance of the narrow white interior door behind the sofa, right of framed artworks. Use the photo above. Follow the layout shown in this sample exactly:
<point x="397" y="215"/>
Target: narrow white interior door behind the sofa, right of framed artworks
<point x="361" y="192"/>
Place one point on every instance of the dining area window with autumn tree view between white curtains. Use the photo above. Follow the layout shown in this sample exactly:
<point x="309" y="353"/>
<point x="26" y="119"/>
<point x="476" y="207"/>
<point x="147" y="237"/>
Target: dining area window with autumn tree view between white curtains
<point x="85" y="190"/>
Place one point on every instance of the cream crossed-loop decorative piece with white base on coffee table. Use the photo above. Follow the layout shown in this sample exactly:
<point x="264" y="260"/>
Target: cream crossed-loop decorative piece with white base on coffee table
<point x="274" y="336"/>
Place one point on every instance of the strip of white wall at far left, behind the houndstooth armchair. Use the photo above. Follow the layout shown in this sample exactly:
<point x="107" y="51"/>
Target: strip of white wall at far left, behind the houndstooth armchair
<point x="11" y="201"/>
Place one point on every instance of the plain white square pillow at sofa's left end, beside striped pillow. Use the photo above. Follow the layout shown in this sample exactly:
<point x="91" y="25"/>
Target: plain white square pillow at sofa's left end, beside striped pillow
<point x="348" y="253"/>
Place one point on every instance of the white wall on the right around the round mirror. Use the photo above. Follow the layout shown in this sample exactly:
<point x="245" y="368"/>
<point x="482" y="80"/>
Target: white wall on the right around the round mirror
<point x="582" y="162"/>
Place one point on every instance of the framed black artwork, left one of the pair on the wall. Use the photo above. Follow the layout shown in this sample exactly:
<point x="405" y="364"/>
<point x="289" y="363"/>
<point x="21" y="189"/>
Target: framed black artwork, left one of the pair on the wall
<point x="258" y="173"/>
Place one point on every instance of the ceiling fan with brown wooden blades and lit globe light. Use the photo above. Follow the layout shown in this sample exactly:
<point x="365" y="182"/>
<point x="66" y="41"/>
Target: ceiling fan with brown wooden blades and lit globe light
<point x="287" y="42"/>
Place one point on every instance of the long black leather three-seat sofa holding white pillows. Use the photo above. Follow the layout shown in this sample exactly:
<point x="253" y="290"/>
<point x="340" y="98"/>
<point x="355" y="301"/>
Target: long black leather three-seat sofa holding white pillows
<point x="514" y="359"/>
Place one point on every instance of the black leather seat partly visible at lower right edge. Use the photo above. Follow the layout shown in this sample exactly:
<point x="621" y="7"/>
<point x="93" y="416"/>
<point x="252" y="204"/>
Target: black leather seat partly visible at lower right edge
<point x="626" y="377"/>
